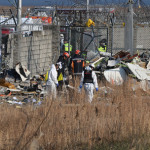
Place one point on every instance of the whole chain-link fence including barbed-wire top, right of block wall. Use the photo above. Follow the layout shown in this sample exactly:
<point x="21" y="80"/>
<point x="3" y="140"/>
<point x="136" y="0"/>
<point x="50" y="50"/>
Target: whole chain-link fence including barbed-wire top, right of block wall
<point x="84" y="38"/>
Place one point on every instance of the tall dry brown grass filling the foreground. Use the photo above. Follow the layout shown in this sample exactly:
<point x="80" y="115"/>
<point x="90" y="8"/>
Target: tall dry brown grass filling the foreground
<point x="117" y="116"/>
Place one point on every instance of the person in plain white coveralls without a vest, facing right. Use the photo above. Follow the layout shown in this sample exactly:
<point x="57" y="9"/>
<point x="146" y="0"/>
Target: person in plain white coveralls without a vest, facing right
<point x="52" y="81"/>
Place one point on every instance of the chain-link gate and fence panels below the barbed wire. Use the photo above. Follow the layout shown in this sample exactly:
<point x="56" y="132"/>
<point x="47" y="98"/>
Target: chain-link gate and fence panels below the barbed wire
<point x="87" y="39"/>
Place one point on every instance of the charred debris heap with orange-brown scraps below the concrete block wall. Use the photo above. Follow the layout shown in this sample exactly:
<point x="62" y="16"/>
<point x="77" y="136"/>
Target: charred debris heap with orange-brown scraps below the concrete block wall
<point x="16" y="88"/>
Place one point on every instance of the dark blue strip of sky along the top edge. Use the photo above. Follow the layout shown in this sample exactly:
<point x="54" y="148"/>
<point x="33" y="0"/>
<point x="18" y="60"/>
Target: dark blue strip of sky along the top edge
<point x="64" y="2"/>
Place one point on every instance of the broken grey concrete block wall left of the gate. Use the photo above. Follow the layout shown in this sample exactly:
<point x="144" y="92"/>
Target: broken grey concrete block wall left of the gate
<point x="36" y="52"/>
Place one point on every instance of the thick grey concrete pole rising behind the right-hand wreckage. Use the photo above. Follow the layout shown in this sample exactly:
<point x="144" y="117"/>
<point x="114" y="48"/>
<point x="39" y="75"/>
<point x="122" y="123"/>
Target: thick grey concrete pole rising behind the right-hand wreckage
<point x="129" y="33"/>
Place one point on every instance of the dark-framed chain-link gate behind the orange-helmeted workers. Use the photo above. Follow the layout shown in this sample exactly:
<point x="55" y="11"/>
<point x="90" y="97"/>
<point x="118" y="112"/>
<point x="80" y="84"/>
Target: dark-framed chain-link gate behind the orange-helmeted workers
<point x="85" y="39"/>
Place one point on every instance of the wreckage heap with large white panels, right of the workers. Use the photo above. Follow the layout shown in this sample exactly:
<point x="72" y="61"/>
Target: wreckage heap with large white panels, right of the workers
<point x="121" y="66"/>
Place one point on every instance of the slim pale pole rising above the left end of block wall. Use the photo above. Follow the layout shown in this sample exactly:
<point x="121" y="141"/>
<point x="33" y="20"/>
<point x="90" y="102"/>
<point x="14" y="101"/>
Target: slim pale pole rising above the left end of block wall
<point x="19" y="11"/>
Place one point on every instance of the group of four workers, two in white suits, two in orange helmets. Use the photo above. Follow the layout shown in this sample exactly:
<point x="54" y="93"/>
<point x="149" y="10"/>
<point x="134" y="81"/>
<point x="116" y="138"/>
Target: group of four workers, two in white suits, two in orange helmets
<point x="59" y="73"/>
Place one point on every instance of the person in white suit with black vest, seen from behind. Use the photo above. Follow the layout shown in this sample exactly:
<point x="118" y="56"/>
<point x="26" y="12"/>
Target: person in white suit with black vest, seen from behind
<point x="89" y="80"/>
